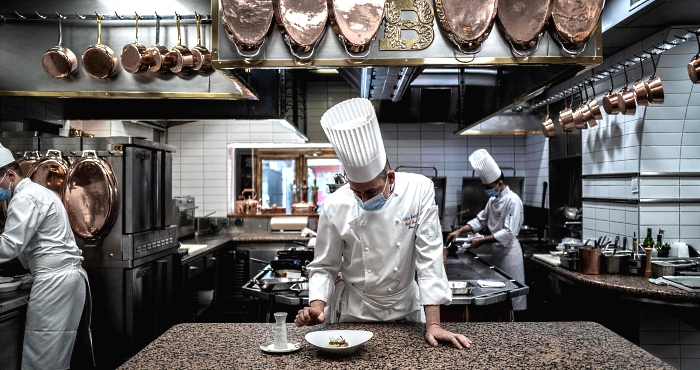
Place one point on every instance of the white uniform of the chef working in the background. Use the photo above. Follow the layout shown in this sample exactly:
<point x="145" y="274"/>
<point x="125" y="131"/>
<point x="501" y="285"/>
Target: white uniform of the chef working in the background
<point x="503" y="215"/>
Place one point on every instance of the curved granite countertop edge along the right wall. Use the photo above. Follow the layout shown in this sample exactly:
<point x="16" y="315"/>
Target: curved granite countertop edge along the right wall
<point x="637" y="286"/>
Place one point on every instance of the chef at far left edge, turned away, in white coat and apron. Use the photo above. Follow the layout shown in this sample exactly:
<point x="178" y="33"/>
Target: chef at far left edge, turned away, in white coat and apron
<point x="38" y="233"/>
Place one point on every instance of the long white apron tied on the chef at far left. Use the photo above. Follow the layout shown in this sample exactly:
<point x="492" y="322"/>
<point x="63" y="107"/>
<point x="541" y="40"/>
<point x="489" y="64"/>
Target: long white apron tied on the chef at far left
<point x="60" y="298"/>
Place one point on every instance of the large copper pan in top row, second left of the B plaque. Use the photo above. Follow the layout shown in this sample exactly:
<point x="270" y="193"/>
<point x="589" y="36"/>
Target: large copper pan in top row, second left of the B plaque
<point x="302" y="24"/>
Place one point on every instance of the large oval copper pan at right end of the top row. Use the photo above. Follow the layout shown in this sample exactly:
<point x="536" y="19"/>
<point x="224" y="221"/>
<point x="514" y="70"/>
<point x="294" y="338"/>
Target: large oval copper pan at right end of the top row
<point x="574" y="23"/>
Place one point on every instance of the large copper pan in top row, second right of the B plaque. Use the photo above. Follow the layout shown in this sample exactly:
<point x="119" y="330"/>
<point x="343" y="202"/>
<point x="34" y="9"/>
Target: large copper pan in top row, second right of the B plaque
<point x="524" y="23"/>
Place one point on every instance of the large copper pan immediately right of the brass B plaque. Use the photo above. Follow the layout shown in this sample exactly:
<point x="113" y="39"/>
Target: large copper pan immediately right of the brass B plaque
<point x="467" y="23"/>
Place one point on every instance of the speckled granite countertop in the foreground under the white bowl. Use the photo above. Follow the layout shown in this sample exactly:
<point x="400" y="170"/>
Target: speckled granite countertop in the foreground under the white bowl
<point x="526" y="345"/>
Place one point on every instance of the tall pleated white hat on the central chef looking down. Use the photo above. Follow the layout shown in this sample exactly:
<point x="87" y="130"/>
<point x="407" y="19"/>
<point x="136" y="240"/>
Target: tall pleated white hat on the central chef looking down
<point x="352" y="127"/>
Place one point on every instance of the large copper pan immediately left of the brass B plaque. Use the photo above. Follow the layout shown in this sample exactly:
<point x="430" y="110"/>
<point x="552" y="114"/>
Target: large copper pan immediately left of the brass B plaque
<point x="356" y="23"/>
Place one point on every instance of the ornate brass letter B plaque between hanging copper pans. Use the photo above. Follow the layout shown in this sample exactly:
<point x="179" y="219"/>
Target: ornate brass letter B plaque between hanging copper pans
<point x="422" y="25"/>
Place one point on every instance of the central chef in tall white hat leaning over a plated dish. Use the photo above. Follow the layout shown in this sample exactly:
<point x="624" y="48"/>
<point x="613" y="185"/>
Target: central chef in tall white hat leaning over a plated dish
<point x="381" y="232"/>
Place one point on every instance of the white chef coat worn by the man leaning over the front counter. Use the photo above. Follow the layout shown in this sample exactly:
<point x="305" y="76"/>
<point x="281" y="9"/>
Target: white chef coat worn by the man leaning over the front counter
<point x="390" y="259"/>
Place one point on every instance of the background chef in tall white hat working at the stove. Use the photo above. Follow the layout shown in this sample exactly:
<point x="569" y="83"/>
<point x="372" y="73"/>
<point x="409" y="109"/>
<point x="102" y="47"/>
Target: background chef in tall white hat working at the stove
<point x="503" y="215"/>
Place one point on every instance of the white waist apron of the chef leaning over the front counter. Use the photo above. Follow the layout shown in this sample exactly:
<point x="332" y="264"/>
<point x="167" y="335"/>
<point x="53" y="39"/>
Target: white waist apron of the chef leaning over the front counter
<point x="344" y="308"/>
